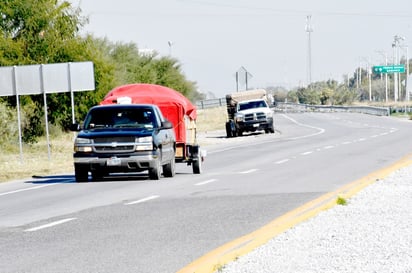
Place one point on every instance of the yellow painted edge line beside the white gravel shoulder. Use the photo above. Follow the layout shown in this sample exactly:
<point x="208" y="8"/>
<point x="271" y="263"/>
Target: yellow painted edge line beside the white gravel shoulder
<point x="212" y="261"/>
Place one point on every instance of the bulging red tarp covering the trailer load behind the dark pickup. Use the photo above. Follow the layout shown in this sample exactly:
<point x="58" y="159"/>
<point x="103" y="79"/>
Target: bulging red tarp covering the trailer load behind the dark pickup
<point x="174" y="105"/>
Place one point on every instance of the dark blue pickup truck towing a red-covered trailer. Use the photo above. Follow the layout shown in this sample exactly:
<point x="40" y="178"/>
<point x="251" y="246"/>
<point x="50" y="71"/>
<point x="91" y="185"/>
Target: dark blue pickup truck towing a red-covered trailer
<point x="124" y="138"/>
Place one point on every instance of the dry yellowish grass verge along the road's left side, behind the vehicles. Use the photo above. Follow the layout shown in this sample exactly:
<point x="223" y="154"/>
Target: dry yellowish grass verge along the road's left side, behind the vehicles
<point x="35" y="159"/>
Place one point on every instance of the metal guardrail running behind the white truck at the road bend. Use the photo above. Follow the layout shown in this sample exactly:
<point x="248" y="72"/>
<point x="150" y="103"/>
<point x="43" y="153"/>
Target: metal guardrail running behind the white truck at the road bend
<point x="296" y="107"/>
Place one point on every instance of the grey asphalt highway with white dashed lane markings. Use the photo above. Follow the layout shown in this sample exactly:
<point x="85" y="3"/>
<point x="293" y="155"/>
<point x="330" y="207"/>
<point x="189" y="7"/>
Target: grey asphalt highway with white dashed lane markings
<point x="133" y="224"/>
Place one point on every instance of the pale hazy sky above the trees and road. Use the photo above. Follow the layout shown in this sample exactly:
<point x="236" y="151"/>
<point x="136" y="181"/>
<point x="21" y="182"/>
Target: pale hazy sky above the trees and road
<point x="214" y="39"/>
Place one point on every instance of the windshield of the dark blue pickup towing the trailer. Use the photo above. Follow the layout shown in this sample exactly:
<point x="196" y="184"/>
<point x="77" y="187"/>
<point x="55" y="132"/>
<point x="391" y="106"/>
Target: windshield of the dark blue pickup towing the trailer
<point x="120" y="118"/>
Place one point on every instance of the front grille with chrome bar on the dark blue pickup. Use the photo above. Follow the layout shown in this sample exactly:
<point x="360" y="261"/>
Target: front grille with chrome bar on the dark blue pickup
<point x="114" y="144"/>
